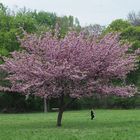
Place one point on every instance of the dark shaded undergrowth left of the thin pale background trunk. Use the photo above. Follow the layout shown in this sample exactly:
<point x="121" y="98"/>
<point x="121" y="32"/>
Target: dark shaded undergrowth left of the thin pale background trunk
<point x="13" y="102"/>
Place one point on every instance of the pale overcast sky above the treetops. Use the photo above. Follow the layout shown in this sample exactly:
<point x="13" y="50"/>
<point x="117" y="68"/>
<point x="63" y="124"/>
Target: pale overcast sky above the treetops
<point x="87" y="11"/>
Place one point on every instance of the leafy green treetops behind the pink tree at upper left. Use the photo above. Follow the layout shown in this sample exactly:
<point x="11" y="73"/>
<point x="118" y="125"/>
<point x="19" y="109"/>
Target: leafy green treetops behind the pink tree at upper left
<point x="31" y="22"/>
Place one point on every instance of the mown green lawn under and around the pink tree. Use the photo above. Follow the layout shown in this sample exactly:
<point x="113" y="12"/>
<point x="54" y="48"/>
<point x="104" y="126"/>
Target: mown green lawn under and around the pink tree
<point x="76" y="125"/>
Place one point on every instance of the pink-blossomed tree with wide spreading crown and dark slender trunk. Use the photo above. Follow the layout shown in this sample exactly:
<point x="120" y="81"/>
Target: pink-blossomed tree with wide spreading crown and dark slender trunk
<point x="75" y="66"/>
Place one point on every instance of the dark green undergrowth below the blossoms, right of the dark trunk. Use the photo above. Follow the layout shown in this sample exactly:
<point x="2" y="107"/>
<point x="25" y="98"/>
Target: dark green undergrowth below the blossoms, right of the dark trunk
<point x="107" y="102"/>
